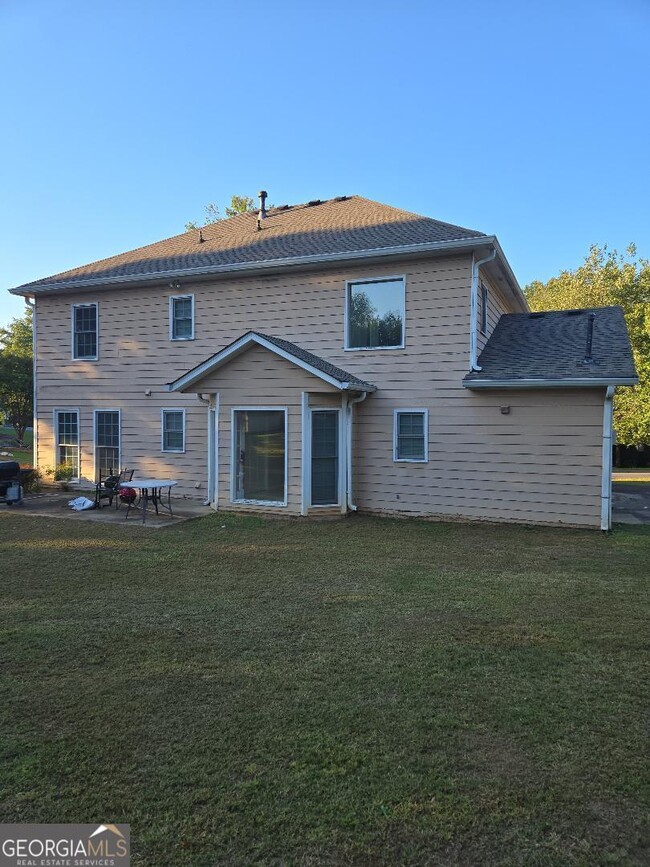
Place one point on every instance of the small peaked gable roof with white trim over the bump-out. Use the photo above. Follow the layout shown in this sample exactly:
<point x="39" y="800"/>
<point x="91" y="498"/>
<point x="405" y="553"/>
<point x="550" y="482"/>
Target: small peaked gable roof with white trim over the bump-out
<point x="313" y="364"/>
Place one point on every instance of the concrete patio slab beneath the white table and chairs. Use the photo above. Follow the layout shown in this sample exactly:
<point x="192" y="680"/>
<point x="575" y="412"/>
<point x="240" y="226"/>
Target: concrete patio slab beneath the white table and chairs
<point x="54" y="504"/>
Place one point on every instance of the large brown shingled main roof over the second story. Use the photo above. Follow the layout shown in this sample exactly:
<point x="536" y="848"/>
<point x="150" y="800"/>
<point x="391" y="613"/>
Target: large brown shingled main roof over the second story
<point x="345" y="226"/>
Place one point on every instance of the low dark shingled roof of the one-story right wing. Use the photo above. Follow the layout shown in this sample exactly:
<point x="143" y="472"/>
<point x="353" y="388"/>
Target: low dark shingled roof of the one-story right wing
<point x="533" y="349"/>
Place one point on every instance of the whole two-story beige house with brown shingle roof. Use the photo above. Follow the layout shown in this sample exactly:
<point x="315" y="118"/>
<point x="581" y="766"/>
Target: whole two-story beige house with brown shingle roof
<point x="327" y="357"/>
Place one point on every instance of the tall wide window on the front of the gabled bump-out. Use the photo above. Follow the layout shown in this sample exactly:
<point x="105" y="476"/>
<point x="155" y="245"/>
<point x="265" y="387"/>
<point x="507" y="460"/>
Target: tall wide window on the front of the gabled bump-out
<point x="259" y="455"/>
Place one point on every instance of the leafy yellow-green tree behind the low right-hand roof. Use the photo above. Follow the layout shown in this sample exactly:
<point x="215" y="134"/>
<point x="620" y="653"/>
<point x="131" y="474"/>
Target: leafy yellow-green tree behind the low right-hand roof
<point x="607" y="277"/>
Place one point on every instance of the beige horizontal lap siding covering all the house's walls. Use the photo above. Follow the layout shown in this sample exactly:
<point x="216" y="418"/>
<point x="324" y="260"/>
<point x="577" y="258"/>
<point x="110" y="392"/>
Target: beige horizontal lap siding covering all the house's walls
<point x="541" y="462"/>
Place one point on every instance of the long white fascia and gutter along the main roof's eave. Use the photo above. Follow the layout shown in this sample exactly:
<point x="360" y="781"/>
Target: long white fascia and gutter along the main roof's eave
<point x="253" y="268"/>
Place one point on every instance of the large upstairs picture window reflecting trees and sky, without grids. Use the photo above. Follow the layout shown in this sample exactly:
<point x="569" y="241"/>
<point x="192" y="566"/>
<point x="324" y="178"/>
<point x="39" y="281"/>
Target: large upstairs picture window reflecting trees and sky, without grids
<point x="375" y="314"/>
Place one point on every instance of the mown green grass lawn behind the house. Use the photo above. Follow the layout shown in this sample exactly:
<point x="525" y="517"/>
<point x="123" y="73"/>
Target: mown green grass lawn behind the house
<point x="367" y="692"/>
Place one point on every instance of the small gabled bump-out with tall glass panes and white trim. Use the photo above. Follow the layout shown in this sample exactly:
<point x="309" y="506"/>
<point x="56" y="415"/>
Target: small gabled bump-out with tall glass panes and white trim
<point x="280" y="427"/>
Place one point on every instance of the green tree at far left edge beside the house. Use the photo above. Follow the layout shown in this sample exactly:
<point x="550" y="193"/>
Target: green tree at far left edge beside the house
<point x="16" y="374"/>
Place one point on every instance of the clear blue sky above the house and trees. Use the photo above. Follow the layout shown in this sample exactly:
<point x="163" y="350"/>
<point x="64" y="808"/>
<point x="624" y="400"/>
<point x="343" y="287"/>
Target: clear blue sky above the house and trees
<point x="120" y="120"/>
